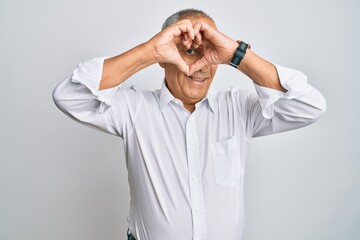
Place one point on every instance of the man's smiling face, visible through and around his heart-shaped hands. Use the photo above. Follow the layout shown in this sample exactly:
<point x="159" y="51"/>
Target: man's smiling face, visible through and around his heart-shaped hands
<point x="190" y="90"/>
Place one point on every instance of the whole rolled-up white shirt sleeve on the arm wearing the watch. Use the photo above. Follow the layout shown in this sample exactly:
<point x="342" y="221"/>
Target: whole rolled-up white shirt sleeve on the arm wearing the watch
<point x="272" y="111"/>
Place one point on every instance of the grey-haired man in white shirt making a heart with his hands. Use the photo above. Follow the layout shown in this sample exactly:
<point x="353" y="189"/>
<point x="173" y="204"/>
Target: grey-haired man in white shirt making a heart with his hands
<point x="186" y="147"/>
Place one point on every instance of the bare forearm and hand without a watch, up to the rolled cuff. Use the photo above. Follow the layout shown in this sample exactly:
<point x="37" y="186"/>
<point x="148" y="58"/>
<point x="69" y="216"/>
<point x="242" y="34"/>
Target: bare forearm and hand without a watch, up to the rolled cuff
<point x="161" y="48"/>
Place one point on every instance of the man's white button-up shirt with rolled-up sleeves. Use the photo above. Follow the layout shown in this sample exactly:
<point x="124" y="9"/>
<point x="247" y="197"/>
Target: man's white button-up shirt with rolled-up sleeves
<point x="186" y="170"/>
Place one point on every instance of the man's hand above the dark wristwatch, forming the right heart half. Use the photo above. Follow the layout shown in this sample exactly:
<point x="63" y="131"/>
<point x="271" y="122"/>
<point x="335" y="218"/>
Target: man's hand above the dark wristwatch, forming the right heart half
<point x="219" y="48"/>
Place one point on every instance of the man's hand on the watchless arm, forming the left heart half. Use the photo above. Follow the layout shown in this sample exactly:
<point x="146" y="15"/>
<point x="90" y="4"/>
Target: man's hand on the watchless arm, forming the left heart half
<point x="164" y="44"/>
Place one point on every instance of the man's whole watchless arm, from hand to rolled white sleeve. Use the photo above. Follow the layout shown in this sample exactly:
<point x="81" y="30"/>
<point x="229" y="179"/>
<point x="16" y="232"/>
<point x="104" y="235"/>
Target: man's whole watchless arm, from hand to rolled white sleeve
<point x="91" y="94"/>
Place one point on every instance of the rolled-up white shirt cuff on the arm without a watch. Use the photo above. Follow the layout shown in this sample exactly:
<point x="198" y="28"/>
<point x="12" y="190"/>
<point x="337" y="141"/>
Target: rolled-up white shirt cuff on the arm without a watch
<point x="88" y="73"/>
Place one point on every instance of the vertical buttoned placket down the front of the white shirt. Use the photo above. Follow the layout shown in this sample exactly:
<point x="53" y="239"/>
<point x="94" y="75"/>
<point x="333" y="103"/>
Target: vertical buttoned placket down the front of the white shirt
<point x="195" y="183"/>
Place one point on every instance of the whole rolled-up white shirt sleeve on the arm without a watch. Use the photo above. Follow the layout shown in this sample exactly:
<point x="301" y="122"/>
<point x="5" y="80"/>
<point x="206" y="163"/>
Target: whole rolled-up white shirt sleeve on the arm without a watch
<point x="78" y="96"/>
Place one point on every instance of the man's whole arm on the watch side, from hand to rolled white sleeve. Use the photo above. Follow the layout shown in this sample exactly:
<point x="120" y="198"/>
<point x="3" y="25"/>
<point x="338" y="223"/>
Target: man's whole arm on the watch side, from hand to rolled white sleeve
<point x="284" y="99"/>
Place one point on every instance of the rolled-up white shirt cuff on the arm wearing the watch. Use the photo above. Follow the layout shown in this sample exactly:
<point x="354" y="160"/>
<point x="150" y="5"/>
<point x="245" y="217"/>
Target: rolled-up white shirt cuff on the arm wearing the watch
<point x="294" y="81"/>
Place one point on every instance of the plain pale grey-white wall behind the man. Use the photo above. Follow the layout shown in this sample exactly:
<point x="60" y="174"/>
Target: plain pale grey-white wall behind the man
<point x="60" y="180"/>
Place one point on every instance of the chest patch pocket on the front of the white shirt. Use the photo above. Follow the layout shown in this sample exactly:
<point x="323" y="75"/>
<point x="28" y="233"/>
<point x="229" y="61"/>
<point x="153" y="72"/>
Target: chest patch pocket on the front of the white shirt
<point x="226" y="161"/>
